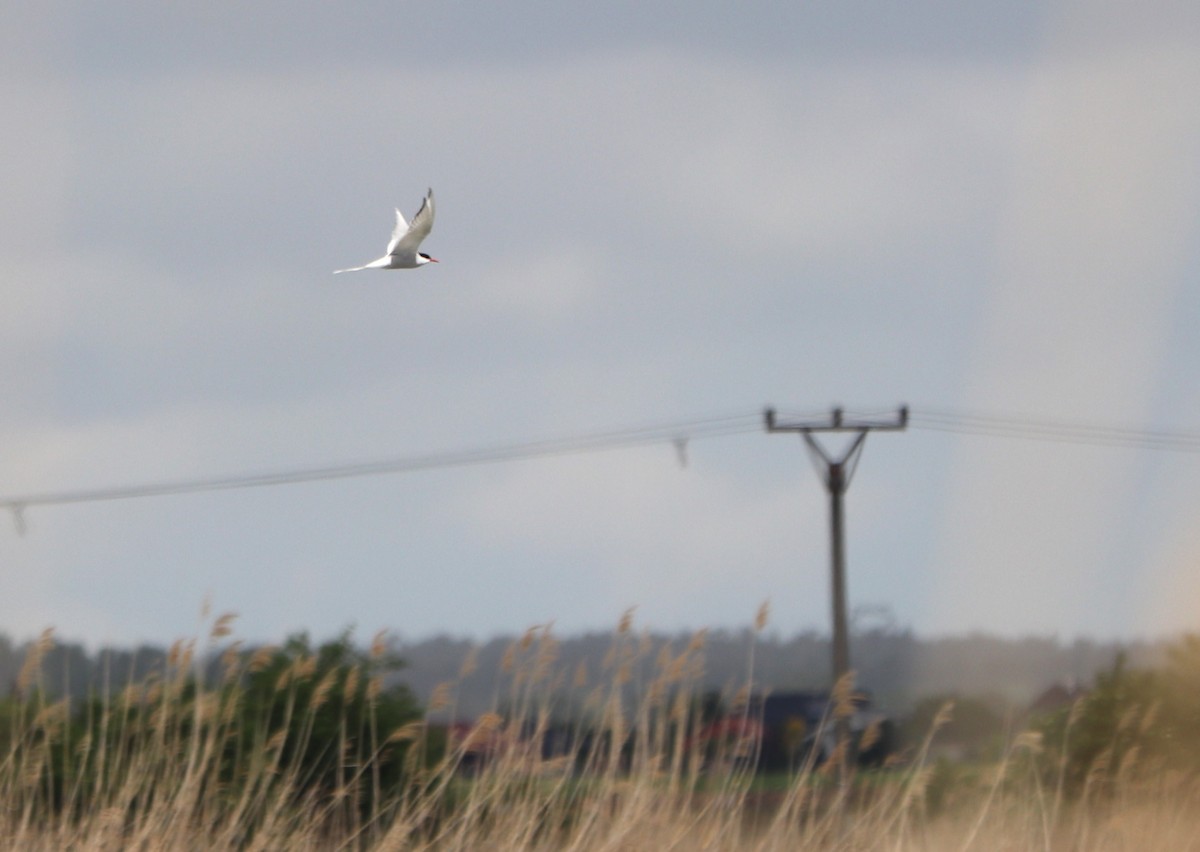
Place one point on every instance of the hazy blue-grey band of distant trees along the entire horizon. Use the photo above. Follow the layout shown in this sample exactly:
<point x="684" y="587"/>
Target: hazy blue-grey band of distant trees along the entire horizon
<point x="896" y="667"/>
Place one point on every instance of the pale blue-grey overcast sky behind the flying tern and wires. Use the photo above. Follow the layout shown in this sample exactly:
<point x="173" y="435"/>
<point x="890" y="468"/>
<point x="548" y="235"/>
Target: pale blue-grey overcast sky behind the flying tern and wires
<point x="647" y="213"/>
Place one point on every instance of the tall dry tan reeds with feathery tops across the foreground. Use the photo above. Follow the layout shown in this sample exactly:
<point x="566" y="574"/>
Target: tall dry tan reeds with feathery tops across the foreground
<point x="166" y="765"/>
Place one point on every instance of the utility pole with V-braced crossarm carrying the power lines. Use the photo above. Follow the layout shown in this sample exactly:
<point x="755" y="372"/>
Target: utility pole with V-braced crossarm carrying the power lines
<point x="837" y="472"/>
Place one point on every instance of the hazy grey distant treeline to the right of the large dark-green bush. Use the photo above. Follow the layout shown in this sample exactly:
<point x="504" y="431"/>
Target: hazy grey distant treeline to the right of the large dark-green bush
<point x="896" y="667"/>
